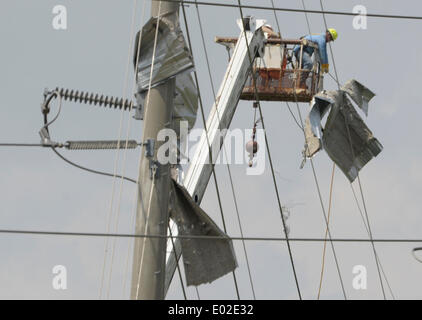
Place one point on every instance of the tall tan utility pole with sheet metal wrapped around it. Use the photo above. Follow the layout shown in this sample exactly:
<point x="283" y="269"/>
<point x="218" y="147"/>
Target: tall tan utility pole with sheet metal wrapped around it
<point x="148" y="271"/>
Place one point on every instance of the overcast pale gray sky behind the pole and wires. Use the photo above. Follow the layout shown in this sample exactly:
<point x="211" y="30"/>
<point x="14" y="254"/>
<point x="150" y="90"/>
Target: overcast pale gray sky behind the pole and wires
<point x="40" y="191"/>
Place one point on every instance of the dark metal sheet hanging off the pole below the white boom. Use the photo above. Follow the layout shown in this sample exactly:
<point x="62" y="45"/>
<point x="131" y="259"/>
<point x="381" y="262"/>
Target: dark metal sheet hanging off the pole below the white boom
<point x="205" y="260"/>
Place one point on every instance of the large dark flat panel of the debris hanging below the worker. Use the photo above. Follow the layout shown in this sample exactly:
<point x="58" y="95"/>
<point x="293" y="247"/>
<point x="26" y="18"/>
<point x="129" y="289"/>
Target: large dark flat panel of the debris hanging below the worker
<point x="345" y="131"/>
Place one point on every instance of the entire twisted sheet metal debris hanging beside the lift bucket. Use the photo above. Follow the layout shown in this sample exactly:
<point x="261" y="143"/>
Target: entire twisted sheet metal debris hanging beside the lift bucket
<point x="345" y="137"/>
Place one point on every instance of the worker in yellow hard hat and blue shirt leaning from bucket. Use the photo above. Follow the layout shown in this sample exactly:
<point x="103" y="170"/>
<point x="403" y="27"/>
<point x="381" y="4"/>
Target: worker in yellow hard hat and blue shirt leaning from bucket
<point x="321" y="40"/>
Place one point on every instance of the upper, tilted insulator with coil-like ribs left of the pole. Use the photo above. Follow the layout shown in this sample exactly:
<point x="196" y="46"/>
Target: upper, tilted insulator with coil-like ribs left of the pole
<point x="91" y="98"/>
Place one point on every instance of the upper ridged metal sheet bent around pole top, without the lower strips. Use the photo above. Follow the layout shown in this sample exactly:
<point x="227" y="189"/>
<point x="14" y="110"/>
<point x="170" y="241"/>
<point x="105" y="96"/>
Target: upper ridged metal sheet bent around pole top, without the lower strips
<point x="172" y="55"/>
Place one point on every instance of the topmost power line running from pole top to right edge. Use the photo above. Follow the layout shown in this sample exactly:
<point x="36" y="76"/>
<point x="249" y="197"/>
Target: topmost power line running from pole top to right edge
<point x="343" y="13"/>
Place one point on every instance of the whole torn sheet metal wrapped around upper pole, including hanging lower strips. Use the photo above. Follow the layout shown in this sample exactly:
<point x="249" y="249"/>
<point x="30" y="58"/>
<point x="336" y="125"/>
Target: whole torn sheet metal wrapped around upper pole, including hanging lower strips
<point x="172" y="59"/>
